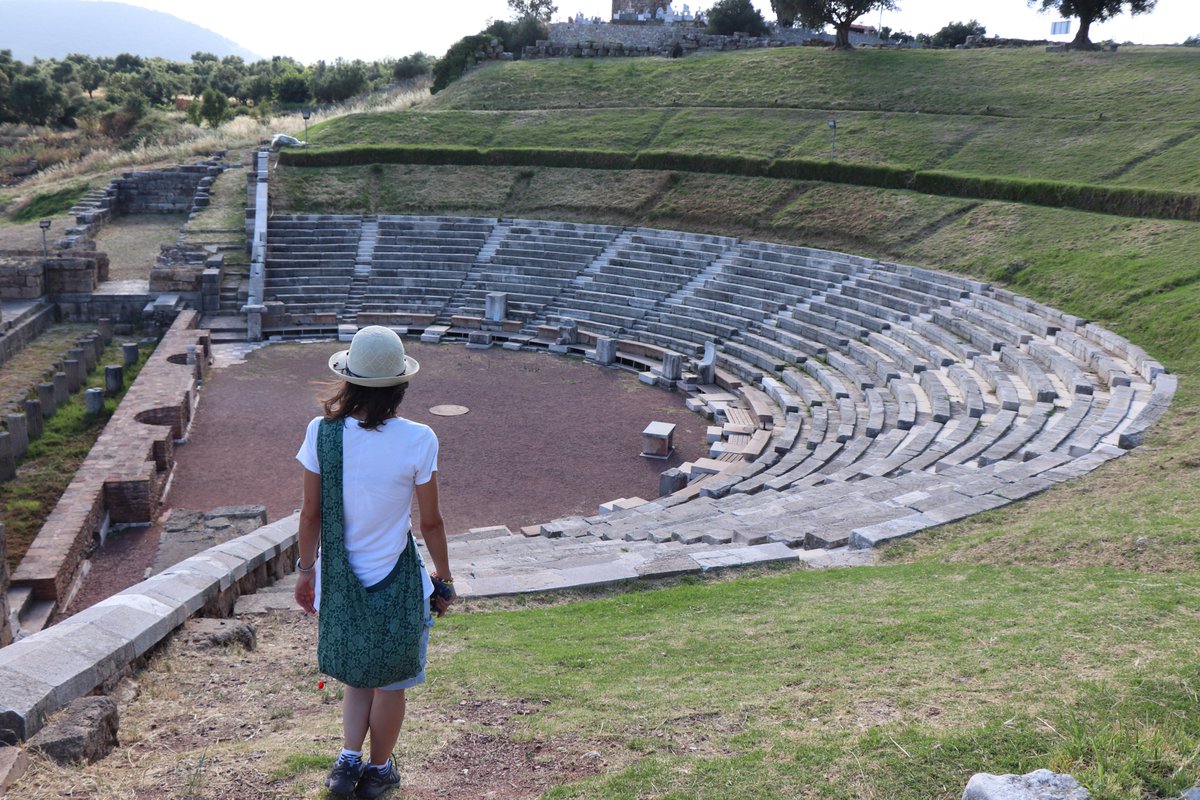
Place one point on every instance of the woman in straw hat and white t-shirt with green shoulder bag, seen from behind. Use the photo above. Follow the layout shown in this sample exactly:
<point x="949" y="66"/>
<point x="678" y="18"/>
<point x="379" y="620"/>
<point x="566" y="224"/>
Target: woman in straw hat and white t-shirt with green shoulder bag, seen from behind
<point x="358" y="561"/>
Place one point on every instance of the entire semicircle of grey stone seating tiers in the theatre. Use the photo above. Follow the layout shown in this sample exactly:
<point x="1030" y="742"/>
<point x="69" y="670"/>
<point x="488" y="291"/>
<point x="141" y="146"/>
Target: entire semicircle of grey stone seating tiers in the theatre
<point x="854" y="401"/>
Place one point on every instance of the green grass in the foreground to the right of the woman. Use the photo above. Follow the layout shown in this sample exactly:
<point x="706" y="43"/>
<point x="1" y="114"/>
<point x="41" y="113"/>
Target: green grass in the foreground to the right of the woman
<point x="893" y="682"/>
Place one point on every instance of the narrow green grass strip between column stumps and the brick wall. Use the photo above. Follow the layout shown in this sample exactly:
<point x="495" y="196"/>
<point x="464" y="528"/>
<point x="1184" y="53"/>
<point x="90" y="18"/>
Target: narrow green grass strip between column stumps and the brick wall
<point x="52" y="460"/>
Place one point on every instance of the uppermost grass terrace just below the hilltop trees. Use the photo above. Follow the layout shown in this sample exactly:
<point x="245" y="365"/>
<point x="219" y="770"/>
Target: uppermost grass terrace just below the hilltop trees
<point x="1136" y="85"/>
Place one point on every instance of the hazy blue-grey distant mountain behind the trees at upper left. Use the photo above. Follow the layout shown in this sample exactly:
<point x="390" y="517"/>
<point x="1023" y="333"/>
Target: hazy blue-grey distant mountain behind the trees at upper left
<point x="51" y="29"/>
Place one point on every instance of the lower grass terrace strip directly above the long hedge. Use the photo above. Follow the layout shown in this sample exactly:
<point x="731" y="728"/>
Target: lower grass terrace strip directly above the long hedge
<point x="1125" y="153"/>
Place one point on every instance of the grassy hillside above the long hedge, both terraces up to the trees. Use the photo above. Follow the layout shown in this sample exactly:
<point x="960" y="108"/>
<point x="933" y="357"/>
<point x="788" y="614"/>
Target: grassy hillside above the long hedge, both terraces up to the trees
<point x="1126" y="118"/>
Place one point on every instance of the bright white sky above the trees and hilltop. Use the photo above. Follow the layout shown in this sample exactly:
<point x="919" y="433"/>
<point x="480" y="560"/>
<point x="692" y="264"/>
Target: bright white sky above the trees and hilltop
<point x="371" y="29"/>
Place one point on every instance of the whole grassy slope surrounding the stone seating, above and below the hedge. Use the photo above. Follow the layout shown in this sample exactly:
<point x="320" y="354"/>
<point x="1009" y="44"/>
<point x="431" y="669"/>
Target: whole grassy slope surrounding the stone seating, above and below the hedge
<point x="1058" y="633"/>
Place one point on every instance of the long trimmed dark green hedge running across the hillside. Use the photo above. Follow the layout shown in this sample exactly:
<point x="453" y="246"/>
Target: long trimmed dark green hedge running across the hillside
<point x="1105" y="200"/>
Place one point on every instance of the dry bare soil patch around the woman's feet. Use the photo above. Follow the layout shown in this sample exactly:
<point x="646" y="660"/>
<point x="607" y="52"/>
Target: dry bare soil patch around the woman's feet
<point x="230" y="724"/>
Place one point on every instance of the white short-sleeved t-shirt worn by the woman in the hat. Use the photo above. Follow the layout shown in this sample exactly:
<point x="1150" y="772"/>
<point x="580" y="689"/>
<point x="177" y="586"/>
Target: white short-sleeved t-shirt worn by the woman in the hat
<point x="380" y="472"/>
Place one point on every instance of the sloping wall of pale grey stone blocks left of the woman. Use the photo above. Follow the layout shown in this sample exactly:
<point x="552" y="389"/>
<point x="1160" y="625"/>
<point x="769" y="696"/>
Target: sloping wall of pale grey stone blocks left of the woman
<point x="91" y="652"/>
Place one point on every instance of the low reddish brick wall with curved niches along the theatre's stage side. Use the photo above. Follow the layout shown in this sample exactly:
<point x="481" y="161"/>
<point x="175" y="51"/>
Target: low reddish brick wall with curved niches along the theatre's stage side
<point x="123" y="478"/>
